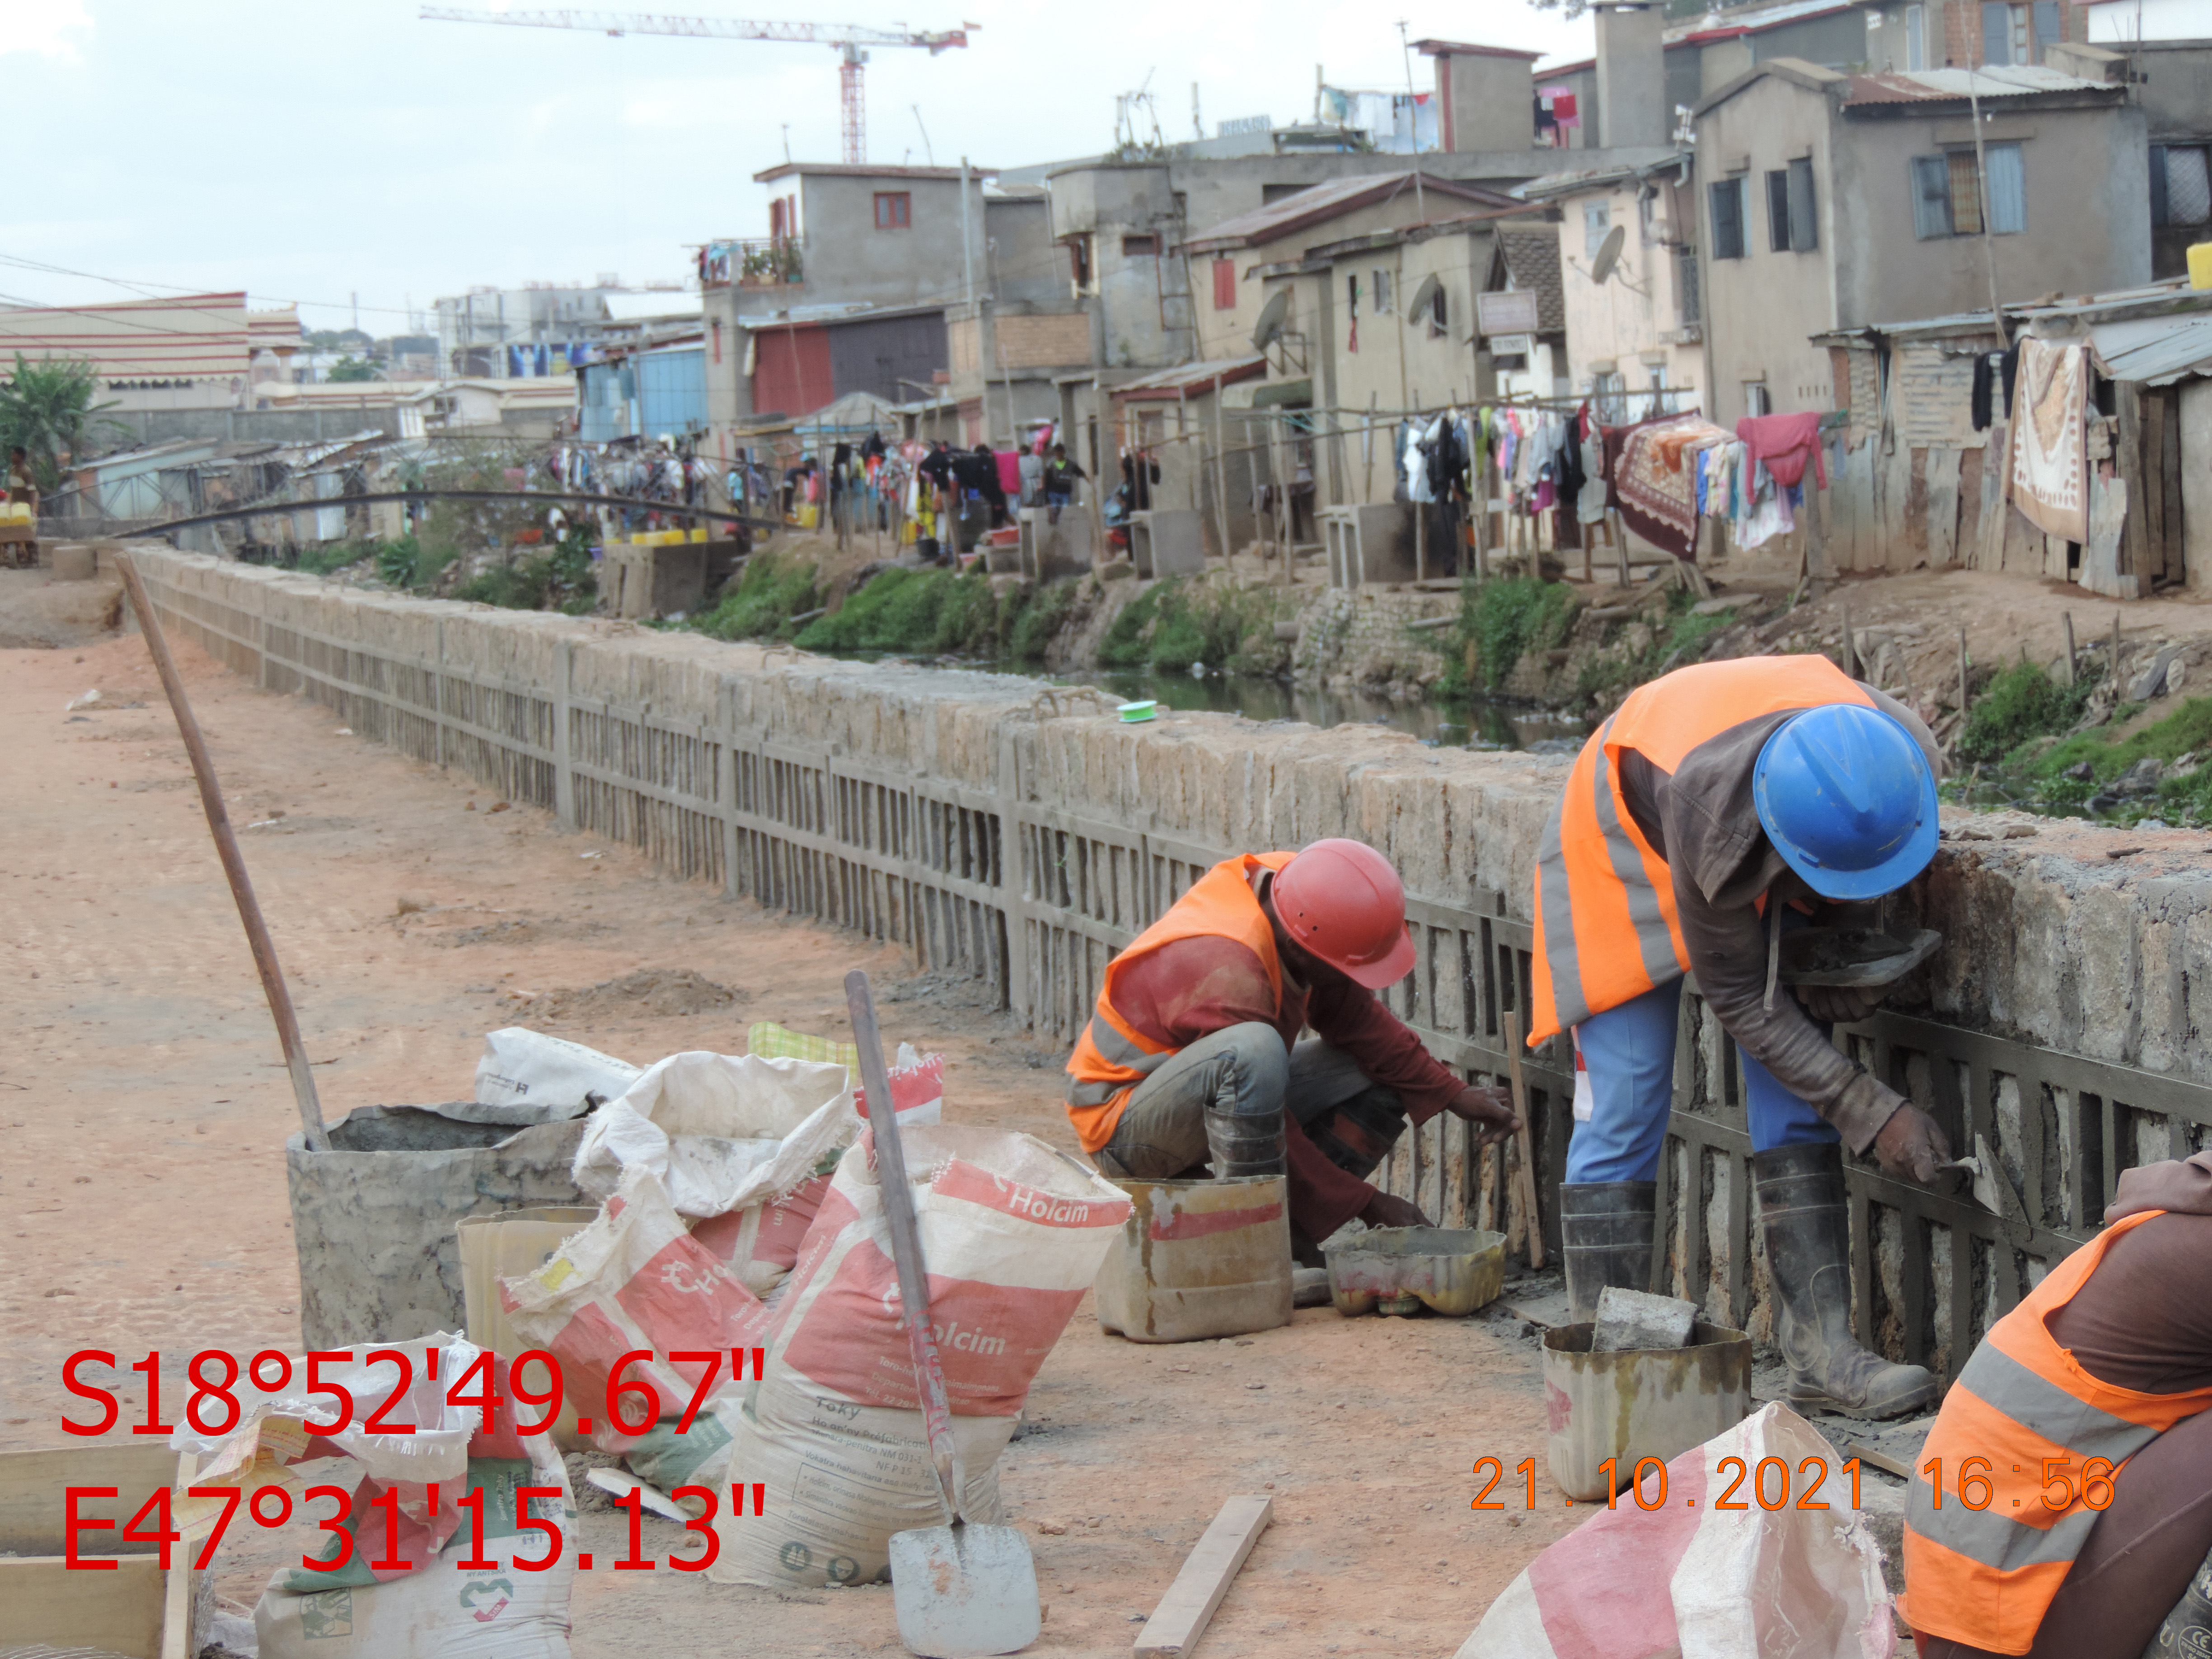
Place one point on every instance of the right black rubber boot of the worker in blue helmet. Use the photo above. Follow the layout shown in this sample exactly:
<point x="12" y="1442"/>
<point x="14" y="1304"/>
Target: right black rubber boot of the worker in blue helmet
<point x="1811" y="1264"/>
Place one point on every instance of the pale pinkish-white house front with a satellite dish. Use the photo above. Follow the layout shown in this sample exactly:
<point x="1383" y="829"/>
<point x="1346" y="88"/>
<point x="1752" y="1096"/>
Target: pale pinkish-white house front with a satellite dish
<point x="1640" y="333"/>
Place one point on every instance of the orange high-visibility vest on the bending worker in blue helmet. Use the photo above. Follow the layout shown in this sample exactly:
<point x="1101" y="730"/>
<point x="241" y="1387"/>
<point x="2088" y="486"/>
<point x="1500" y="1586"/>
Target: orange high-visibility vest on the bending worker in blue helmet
<point x="1605" y="901"/>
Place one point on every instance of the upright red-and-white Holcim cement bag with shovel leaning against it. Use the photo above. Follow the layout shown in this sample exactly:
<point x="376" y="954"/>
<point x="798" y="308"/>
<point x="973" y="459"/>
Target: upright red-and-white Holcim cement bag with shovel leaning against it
<point x="1012" y="1235"/>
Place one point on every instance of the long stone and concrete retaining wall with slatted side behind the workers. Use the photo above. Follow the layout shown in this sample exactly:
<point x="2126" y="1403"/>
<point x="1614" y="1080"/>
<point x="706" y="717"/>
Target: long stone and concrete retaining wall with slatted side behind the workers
<point x="1023" y="835"/>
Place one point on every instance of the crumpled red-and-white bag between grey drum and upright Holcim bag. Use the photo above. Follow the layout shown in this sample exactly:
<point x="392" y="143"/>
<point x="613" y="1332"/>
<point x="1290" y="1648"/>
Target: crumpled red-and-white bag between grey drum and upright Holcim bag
<point x="634" y="1280"/>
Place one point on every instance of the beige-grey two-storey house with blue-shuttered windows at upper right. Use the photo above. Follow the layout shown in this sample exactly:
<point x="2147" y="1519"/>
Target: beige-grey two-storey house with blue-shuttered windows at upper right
<point x="1839" y="200"/>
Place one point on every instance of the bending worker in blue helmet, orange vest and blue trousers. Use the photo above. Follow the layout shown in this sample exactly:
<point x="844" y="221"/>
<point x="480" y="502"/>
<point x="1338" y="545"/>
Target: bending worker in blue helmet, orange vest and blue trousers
<point x="1718" y="808"/>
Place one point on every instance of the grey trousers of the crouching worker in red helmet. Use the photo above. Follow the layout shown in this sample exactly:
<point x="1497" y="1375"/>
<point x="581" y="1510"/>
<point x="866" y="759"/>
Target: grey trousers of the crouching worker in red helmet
<point x="1244" y="1070"/>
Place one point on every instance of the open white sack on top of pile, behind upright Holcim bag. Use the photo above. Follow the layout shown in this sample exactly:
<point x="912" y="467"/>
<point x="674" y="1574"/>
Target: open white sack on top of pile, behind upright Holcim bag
<point x="720" y="1131"/>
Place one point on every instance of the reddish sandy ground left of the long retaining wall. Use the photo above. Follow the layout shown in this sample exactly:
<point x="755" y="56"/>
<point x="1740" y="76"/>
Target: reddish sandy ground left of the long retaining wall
<point x="145" y="1114"/>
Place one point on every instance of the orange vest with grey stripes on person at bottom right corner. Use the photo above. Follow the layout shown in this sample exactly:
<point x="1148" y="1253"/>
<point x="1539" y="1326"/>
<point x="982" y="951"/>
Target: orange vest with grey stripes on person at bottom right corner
<point x="1985" y="1574"/>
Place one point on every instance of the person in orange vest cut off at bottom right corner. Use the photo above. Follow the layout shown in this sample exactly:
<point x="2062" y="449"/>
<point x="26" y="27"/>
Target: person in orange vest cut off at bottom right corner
<point x="2063" y="1503"/>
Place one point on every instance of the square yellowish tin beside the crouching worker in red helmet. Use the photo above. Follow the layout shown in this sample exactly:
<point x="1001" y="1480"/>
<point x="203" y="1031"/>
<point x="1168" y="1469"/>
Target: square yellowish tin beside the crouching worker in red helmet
<point x="1198" y="1260"/>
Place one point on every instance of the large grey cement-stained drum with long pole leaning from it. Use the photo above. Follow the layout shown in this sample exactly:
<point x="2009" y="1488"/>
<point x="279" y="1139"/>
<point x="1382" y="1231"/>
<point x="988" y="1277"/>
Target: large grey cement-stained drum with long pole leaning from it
<point x="375" y="1215"/>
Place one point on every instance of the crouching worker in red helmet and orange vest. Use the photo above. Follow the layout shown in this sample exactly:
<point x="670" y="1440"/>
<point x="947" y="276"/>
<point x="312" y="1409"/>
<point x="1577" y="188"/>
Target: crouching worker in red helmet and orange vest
<point x="1193" y="1052"/>
